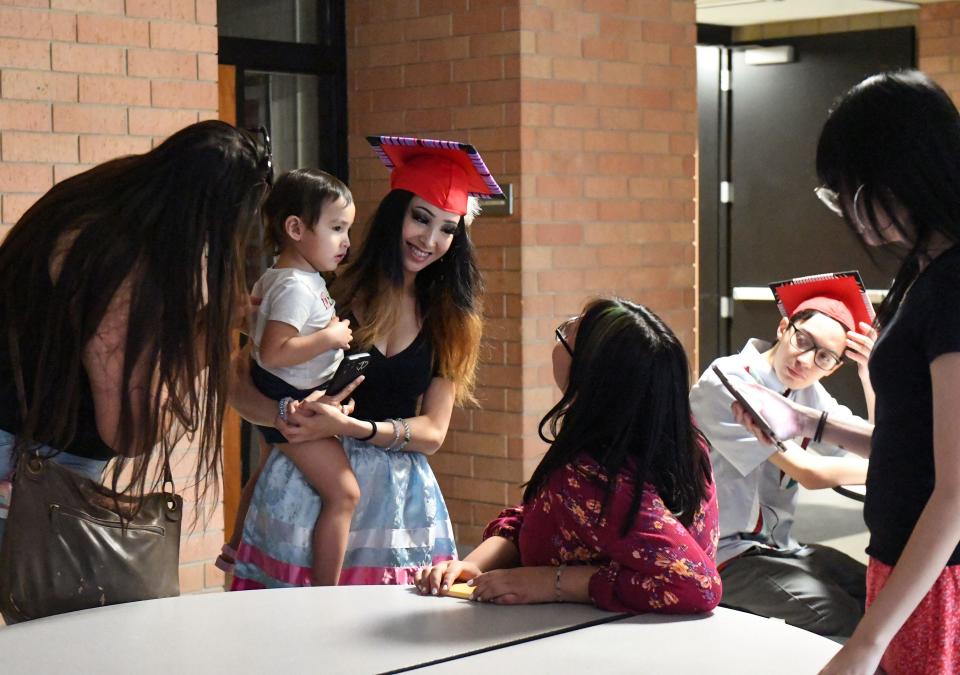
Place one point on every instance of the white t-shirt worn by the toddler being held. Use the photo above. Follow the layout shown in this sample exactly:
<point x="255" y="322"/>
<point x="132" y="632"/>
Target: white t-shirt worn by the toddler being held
<point x="301" y="300"/>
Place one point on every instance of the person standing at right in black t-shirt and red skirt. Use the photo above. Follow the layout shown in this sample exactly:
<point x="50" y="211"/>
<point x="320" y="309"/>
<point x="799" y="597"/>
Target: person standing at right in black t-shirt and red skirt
<point x="889" y="160"/>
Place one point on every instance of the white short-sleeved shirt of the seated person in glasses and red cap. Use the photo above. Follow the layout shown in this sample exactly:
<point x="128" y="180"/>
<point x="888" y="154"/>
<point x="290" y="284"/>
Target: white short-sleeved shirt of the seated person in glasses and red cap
<point x="757" y="501"/>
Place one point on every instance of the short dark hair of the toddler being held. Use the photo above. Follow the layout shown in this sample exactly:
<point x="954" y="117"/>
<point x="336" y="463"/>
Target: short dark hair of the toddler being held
<point x="302" y="193"/>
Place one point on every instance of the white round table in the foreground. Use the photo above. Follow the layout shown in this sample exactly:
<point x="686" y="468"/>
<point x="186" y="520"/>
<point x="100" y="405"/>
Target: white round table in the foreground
<point x="371" y="629"/>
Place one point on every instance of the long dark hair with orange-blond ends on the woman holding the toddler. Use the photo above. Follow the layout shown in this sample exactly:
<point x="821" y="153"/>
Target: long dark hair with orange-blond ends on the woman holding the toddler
<point x="447" y="292"/>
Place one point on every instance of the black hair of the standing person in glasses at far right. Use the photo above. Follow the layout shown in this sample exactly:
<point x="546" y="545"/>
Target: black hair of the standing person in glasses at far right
<point x="897" y="134"/>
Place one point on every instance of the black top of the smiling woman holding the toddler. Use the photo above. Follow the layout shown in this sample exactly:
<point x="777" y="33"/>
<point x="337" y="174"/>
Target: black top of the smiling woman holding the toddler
<point x="393" y="386"/>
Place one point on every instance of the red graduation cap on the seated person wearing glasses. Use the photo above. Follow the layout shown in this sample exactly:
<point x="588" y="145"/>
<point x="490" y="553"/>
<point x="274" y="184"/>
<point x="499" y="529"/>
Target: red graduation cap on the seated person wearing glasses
<point x="841" y="296"/>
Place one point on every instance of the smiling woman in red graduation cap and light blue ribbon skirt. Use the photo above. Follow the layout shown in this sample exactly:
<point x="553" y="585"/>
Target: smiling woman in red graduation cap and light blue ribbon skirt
<point x="413" y="294"/>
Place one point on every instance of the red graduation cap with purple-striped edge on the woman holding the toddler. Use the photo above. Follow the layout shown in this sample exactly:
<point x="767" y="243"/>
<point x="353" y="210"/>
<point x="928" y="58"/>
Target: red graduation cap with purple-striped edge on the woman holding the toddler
<point x="445" y="173"/>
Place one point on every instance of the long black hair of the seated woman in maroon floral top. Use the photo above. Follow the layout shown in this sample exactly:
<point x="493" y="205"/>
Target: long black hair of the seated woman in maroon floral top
<point x="626" y="404"/>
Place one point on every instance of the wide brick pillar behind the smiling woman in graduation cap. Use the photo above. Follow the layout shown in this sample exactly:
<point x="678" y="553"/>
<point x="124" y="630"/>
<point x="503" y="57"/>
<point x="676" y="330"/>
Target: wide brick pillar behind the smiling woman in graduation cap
<point x="588" y="108"/>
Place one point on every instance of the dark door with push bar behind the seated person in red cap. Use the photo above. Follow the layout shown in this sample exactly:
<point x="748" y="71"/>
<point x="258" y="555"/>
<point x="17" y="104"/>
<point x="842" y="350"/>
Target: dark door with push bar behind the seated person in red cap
<point x="759" y="218"/>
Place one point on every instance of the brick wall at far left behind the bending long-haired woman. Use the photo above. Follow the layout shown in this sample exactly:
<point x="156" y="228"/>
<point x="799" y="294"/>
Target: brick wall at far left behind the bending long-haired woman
<point x="82" y="81"/>
